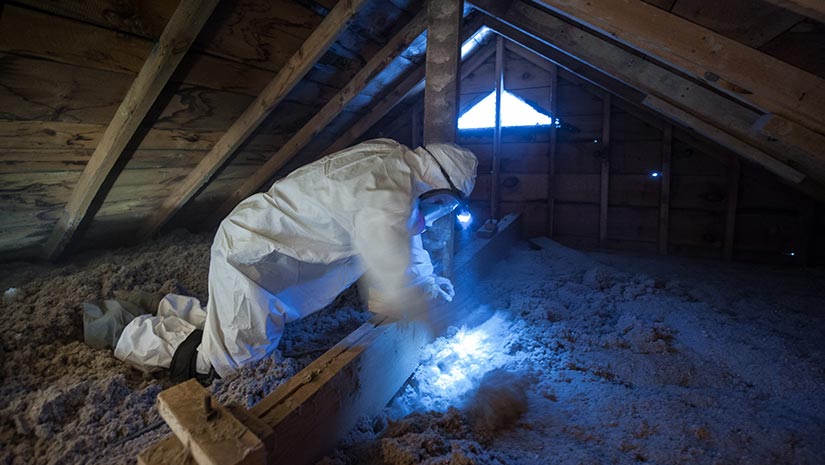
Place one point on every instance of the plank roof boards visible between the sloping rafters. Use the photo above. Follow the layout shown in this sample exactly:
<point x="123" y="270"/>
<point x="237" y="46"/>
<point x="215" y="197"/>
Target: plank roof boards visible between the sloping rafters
<point x="65" y="67"/>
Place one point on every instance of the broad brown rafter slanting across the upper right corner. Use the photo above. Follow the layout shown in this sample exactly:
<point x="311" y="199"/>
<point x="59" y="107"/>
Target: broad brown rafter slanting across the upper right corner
<point x="741" y="72"/>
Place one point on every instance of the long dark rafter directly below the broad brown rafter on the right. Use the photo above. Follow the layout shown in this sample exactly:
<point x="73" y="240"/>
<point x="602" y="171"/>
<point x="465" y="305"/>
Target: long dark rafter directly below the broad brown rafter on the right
<point x="634" y="78"/>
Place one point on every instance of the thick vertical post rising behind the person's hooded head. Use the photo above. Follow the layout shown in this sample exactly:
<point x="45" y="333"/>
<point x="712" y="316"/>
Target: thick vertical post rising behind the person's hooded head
<point x="441" y="94"/>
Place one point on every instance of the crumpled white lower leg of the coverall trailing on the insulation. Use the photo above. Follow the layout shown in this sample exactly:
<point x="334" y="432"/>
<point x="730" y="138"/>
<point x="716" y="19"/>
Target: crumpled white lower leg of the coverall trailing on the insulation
<point x="148" y="342"/>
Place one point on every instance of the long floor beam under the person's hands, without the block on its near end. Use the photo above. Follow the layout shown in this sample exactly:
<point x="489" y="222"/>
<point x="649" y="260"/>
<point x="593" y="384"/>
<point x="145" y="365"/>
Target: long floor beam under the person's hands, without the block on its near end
<point x="358" y="376"/>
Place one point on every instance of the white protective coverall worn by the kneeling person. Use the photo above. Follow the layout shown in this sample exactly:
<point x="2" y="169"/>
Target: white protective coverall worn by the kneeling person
<point x="288" y="252"/>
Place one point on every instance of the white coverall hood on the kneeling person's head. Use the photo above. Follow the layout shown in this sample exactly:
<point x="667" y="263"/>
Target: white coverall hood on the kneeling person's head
<point x="459" y="163"/>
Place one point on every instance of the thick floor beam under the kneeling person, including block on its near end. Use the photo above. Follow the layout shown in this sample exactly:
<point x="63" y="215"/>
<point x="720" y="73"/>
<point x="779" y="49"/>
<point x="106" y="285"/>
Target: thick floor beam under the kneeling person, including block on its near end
<point x="322" y="402"/>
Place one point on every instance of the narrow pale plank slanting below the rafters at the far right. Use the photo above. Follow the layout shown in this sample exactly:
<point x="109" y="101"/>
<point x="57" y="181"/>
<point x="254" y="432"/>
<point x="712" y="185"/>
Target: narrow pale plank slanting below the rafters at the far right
<point x="726" y="140"/>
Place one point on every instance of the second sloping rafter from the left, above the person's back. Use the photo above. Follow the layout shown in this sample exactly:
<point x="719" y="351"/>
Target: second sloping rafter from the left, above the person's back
<point x="287" y="78"/>
